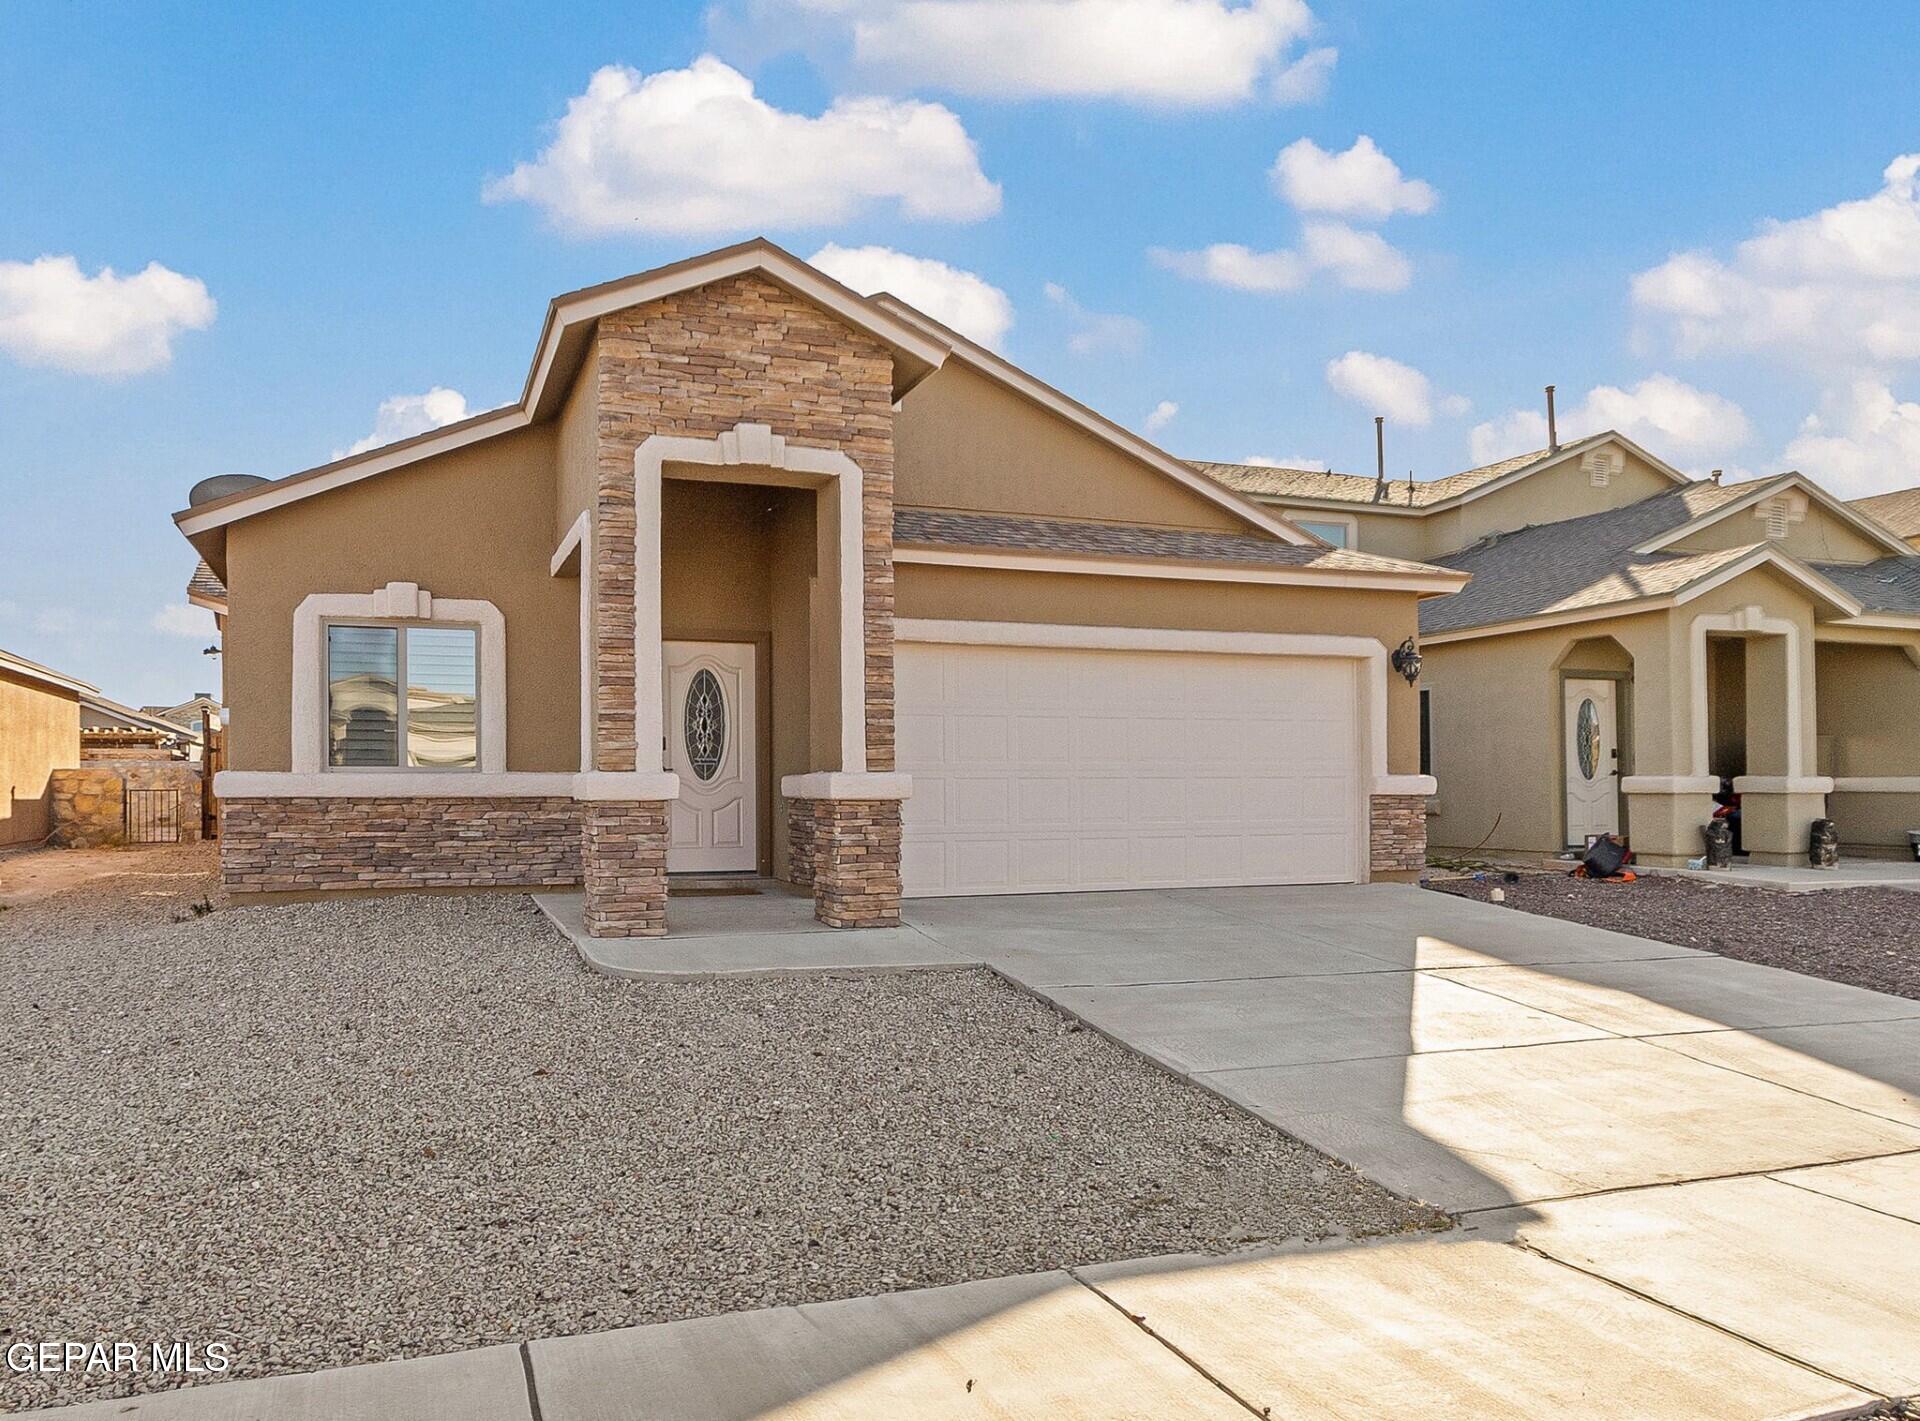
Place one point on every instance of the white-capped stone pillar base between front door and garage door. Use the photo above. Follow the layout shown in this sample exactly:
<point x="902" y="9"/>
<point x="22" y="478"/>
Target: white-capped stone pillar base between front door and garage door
<point x="848" y="844"/>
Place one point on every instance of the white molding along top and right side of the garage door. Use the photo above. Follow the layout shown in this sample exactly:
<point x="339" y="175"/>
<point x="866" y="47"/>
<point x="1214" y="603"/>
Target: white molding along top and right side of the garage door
<point x="1230" y="644"/>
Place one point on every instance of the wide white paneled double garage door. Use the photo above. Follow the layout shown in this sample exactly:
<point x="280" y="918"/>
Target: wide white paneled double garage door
<point x="1045" y="769"/>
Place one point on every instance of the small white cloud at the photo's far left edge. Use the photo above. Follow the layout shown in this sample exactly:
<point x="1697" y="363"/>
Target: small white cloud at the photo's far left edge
<point x="53" y="314"/>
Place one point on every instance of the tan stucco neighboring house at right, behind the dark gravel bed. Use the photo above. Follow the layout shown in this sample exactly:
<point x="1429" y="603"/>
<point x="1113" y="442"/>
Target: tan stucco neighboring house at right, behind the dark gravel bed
<point x="1633" y="637"/>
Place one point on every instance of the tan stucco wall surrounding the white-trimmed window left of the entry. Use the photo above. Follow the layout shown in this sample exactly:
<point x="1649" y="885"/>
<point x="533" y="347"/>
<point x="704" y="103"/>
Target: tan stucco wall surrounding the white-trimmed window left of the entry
<point x="471" y="523"/>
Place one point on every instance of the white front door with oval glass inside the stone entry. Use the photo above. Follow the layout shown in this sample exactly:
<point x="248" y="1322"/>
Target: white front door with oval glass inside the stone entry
<point x="711" y="746"/>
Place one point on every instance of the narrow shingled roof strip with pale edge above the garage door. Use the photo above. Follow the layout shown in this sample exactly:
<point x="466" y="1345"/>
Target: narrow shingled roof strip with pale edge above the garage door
<point x="921" y="529"/>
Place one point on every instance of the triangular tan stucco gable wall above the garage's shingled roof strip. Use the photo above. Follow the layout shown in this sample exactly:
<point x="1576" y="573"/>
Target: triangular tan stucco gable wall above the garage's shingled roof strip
<point x="969" y="443"/>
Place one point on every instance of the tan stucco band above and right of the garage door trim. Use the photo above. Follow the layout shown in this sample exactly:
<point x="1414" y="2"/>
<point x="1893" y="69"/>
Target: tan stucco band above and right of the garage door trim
<point x="1070" y="598"/>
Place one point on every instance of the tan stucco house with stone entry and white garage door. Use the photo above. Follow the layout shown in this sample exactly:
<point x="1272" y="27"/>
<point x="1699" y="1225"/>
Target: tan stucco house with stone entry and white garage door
<point x="756" y="560"/>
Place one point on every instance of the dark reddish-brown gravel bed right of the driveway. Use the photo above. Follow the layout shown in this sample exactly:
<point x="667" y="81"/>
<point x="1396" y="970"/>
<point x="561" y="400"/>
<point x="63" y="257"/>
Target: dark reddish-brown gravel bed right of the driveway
<point x="1867" y="938"/>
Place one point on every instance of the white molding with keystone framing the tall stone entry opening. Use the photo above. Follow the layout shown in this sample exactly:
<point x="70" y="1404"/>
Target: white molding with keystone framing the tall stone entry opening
<point x="744" y="452"/>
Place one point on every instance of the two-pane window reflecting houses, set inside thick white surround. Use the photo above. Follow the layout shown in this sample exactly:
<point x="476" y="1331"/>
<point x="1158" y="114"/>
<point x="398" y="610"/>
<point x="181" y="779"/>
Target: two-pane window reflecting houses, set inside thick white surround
<point x="402" y="696"/>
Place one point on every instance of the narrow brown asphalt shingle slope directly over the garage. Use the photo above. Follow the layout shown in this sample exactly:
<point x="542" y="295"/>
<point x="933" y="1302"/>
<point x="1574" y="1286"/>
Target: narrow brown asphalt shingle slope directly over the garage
<point x="1128" y="541"/>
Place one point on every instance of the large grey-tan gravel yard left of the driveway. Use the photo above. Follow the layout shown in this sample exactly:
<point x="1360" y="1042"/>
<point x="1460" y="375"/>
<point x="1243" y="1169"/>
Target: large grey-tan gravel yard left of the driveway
<point x="335" y="1134"/>
